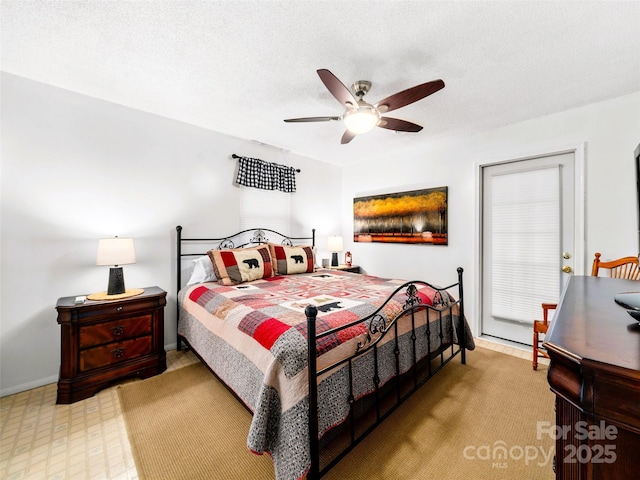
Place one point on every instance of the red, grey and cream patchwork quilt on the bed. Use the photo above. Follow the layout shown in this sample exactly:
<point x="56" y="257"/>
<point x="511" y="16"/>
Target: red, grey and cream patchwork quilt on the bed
<point x="254" y="336"/>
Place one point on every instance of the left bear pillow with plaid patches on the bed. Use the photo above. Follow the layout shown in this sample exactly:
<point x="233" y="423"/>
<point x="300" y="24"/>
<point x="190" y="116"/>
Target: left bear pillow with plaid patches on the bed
<point x="240" y="265"/>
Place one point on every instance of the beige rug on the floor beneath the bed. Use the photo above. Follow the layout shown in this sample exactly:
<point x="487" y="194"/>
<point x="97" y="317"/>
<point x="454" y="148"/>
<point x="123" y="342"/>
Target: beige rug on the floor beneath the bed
<point x="185" y="425"/>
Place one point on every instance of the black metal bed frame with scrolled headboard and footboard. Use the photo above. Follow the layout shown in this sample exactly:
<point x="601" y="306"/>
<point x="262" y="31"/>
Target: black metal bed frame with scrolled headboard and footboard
<point x="403" y="385"/>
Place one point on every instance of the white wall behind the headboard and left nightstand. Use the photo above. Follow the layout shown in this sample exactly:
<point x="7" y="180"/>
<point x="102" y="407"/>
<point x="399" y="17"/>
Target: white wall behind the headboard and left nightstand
<point x="75" y="169"/>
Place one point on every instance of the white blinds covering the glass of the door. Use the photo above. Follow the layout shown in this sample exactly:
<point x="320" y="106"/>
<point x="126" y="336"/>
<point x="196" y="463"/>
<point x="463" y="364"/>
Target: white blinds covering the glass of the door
<point x="525" y="242"/>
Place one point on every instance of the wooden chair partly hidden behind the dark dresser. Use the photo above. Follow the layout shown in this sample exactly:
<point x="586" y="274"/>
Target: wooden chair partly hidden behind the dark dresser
<point x="625" y="267"/>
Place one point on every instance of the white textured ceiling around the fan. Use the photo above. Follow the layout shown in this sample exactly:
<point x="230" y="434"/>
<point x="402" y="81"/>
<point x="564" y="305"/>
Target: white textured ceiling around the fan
<point x="241" y="67"/>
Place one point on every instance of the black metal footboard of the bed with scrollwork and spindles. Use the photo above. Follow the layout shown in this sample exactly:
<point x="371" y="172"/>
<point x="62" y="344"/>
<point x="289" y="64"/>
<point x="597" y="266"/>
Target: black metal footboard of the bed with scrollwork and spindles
<point x="424" y="364"/>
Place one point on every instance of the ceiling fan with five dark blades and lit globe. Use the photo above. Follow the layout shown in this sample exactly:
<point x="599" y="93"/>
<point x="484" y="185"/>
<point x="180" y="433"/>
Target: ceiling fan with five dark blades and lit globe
<point x="360" y="116"/>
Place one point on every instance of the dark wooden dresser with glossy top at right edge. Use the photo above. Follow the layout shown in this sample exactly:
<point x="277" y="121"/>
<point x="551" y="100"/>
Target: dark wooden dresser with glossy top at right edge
<point x="594" y="350"/>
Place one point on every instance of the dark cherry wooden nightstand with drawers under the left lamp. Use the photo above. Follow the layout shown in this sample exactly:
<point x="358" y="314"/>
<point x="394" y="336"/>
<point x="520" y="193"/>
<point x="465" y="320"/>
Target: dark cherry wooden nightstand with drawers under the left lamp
<point x="105" y="341"/>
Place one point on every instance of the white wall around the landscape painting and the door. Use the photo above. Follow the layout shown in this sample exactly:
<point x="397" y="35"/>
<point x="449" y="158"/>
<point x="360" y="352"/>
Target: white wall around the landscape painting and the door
<point x="611" y="132"/>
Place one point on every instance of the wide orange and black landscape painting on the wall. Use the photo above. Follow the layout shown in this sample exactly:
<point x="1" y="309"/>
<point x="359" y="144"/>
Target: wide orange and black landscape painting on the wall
<point x="417" y="216"/>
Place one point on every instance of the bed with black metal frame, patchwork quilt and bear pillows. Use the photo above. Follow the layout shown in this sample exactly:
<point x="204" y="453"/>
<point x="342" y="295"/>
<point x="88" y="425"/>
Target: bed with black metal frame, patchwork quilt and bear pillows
<point x="318" y="356"/>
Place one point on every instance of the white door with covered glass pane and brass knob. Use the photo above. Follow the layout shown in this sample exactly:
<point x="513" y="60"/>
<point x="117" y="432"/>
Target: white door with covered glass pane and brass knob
<point x="528" y="229"/>
